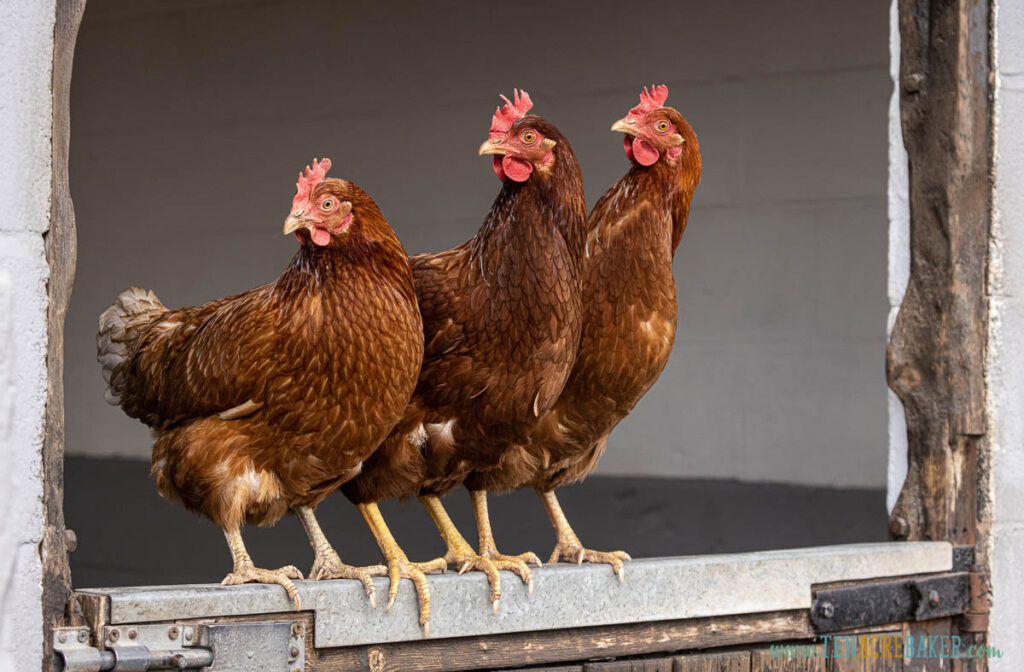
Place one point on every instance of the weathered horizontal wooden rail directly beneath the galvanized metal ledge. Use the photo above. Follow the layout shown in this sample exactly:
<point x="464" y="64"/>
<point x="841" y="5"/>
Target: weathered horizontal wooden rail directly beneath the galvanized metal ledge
<point x="557" y="647"/>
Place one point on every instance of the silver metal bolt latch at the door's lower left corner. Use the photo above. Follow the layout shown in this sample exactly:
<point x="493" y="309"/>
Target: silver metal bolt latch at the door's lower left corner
<point x="270" y="646"/>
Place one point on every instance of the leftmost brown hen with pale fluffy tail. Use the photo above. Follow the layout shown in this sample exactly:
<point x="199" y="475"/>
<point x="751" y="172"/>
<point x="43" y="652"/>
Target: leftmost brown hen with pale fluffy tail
<point x="267" y="402"/>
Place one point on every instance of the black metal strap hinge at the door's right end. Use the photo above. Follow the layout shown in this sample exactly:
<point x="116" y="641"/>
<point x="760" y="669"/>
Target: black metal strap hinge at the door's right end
<point x="891" y="602"/>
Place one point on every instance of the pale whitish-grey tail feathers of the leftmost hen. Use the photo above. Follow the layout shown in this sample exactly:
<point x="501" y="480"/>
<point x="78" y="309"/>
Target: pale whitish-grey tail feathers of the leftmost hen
<point x="120" y="327"/>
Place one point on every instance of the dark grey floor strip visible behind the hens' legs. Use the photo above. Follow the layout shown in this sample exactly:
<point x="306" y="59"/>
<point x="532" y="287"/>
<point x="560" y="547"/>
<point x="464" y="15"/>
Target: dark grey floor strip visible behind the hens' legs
<point x="127" y="535"/>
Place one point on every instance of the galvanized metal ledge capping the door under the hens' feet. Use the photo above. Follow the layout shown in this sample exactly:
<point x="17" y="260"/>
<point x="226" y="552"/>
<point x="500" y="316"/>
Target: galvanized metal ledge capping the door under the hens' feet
<point x="565" y="597"/>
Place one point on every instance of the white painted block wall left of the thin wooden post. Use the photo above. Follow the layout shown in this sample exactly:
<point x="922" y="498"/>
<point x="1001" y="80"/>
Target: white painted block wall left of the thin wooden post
<point x="26" y="62"/>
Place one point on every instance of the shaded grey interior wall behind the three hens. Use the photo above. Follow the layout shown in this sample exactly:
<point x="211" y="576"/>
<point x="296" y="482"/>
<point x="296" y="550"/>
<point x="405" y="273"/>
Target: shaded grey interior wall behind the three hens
<point x="190" y="121"/>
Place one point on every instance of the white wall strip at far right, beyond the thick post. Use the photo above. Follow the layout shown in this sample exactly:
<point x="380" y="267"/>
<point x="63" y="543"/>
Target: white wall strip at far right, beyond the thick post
<point x="1006" y="341"/>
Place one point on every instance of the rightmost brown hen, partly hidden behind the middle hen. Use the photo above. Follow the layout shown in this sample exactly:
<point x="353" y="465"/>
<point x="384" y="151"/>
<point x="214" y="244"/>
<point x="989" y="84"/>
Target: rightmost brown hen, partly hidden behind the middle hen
<point x="629" y="324"/>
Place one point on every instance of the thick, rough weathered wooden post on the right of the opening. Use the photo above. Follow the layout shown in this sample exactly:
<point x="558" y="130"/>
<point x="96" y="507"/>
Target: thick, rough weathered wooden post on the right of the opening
<point x="936" y="356"/>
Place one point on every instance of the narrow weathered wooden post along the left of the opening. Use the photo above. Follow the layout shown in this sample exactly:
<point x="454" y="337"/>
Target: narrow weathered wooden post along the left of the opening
<point x="61" y="245"/>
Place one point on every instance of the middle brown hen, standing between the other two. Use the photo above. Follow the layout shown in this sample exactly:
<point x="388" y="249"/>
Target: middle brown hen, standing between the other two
<point x="502" y="317"/>
